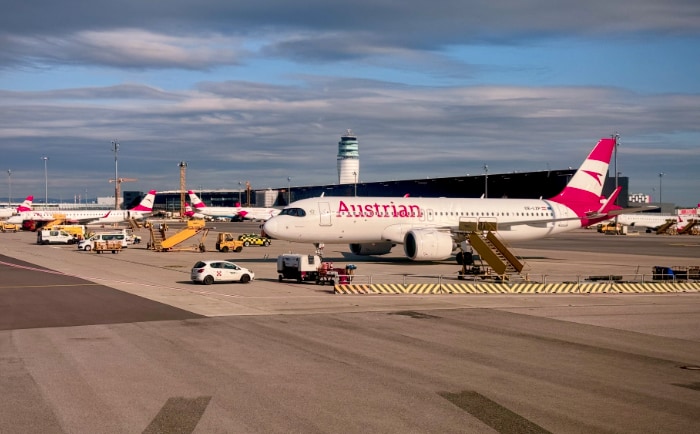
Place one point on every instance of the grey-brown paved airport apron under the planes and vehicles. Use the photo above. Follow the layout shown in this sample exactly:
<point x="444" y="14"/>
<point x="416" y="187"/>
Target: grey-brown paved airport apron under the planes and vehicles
<point x="125" y="344"/>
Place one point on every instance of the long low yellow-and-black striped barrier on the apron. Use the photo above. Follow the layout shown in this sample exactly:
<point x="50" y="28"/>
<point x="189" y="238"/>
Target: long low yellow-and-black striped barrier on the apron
<point x="519" y="288"/>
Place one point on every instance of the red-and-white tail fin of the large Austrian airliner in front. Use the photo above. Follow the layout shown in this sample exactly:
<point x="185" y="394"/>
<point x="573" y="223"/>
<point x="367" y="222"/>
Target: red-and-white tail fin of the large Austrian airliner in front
<point x="583" y="193"/>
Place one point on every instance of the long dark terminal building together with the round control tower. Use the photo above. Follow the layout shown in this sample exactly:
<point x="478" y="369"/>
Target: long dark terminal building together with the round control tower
<point x="533" y="185"/>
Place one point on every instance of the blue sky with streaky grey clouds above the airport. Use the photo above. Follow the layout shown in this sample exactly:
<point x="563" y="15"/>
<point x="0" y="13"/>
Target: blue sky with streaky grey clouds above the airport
<point x="262" y="92"/>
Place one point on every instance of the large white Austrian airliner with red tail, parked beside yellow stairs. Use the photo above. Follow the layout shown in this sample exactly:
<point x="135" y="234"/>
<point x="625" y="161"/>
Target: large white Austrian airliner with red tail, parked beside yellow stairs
<point x="428" y="228"/>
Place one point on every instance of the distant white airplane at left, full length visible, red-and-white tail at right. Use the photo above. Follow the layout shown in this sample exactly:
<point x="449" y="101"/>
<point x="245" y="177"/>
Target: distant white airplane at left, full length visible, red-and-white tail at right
<point x="93" y="216"/>
